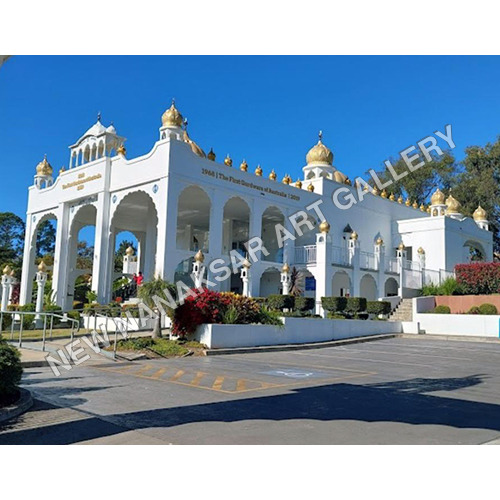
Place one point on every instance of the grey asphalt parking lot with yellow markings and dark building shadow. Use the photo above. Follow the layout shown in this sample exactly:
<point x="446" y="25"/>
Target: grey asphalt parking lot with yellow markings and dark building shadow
<point x="393" y="391"/>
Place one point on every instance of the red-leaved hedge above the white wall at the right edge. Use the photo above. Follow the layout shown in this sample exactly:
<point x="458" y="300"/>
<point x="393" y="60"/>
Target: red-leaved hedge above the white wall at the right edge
<point x="478" y="278"/>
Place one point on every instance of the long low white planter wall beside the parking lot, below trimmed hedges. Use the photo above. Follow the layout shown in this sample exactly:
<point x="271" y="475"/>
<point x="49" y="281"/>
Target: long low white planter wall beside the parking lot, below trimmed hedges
<point x="295" y="331"/>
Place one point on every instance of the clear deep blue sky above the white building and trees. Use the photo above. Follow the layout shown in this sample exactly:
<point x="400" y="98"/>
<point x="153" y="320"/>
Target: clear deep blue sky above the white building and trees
<point x="267" y="110"/>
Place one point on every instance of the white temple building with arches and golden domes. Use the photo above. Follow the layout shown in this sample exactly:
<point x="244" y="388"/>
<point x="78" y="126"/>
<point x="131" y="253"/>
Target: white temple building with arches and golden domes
<point x="177" y="200"/>
